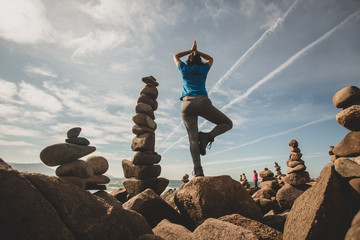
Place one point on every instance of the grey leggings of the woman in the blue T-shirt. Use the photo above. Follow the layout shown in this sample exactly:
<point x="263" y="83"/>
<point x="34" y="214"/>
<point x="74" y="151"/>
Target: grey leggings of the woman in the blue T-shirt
<point x="200" y="105"/>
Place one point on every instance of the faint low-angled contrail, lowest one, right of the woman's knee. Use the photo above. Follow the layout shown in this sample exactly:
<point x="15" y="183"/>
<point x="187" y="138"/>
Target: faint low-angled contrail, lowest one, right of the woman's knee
<point x="276" y="134"/>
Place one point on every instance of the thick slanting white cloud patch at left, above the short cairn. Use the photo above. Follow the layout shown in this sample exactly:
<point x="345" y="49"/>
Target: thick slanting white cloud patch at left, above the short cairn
<point x="38" y="98"/>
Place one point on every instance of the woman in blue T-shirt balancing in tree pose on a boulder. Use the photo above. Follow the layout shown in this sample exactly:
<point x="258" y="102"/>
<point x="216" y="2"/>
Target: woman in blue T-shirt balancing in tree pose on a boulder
<point x="195" y="102"/>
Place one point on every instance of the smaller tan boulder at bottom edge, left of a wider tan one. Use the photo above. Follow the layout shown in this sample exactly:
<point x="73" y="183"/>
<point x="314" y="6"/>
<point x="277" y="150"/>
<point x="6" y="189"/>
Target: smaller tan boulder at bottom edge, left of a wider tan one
<point x="169" y="230"/>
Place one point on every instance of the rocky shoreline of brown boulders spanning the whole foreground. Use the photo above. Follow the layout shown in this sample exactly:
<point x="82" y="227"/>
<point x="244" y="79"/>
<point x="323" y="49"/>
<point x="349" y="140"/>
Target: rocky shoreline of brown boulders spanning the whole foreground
<point x="291" y="206"/>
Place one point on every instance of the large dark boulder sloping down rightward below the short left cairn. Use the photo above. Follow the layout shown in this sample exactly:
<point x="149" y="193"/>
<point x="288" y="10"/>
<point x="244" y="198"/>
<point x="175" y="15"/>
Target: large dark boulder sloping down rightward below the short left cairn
<point x="86" y="215"/>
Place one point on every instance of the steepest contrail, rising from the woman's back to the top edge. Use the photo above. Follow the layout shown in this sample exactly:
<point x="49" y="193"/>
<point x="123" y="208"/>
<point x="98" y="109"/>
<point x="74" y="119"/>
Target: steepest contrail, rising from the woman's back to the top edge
<point x="252" y="48"/>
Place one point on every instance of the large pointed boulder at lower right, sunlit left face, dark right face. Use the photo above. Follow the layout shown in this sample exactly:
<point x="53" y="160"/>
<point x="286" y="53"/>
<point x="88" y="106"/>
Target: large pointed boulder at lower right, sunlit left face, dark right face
<point x="321" y="212"/>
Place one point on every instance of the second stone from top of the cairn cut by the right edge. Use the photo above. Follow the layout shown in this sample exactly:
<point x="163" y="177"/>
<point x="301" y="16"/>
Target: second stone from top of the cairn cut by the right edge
<point x="350" y="118"/>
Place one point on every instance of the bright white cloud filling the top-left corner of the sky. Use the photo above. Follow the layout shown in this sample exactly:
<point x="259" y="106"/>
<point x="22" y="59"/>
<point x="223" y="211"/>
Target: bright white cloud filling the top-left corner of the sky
<point x="24" y="21"/>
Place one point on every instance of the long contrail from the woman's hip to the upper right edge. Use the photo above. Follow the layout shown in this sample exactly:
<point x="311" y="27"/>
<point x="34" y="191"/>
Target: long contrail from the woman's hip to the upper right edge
<point x="290" y="61"/>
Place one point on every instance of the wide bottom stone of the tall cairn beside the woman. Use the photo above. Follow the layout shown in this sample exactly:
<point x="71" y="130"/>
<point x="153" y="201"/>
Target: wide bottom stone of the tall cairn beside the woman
<point x="135" y="186"/>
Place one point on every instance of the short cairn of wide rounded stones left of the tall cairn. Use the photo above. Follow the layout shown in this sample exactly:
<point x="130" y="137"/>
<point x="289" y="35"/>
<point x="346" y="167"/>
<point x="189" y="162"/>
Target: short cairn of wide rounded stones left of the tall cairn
<point x="86" y="174"/>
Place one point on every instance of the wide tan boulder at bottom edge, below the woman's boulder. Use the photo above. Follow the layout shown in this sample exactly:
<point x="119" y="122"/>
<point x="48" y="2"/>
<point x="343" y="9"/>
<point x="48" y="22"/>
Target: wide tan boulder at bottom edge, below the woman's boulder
<point x="214" y="229"/>
